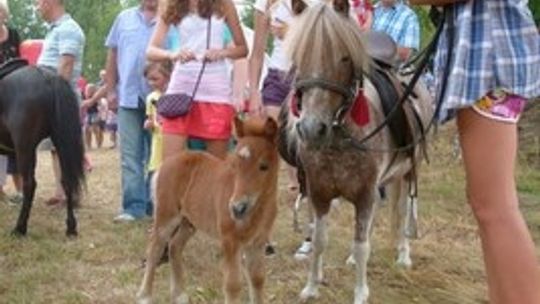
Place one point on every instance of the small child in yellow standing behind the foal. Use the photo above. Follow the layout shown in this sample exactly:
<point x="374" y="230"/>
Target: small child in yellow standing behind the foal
<point x="157" y="74"/>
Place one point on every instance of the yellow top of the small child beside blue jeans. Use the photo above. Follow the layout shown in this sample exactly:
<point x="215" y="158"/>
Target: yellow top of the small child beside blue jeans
<point x="157" y="137"/>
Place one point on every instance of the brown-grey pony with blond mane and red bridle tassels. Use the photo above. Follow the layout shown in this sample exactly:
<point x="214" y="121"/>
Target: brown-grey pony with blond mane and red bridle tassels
<point x="341" y="155"/>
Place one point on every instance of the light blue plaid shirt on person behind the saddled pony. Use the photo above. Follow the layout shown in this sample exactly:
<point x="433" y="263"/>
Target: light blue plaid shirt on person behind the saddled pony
<point x="398" y="21"/>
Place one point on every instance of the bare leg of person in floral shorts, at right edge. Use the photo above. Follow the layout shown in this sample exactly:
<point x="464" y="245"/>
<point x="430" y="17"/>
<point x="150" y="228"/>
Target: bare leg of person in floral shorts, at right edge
<point x="489" y="152"/>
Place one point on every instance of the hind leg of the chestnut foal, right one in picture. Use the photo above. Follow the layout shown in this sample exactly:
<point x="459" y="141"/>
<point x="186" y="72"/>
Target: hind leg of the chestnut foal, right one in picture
<point x="176" y="247"/>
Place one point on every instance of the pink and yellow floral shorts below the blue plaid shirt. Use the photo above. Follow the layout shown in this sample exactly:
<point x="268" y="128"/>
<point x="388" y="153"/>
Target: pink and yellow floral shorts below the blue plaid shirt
<point x="501" y="106"/>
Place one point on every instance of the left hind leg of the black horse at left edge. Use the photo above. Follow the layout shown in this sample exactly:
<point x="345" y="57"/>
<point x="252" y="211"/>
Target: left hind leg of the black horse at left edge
<point x="26" y="159"/>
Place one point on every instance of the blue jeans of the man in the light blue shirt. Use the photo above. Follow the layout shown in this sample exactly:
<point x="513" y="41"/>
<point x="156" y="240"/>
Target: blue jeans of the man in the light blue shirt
<point x="134" y="153"/>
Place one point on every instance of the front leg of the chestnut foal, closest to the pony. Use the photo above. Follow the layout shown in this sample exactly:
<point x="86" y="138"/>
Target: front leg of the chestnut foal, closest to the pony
<point x="256" y="271"/>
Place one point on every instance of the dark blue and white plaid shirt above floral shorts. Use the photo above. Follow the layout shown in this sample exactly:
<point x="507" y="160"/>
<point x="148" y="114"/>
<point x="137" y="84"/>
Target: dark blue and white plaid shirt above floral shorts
<point x="496" y="45"/>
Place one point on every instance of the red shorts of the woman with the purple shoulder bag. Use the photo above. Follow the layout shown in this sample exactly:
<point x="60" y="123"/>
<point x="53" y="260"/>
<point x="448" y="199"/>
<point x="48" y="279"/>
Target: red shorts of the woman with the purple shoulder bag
<point x="205" y="120"/>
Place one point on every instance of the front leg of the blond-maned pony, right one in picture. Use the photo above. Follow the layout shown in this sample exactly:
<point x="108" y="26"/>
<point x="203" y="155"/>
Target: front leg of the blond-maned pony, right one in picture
<point x="364" y="211"/>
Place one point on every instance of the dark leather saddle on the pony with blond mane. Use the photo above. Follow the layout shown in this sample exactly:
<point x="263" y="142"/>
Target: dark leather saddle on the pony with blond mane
<point x="405" y="124"/>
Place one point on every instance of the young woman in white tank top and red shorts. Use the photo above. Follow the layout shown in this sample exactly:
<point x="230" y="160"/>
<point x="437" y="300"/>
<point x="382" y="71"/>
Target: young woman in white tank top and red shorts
<point x="211" y="114"/>
